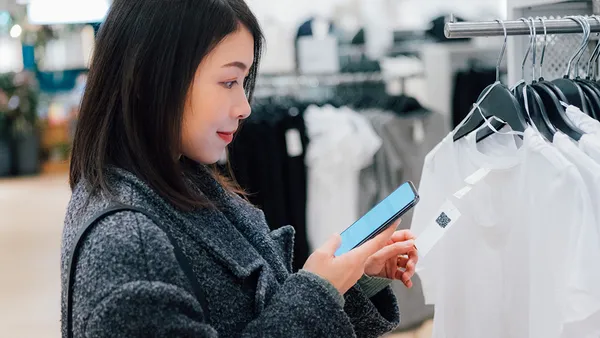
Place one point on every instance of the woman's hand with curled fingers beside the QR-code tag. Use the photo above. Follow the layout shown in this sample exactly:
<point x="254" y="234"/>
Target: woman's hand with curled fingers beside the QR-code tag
<point x="397" y="260"/>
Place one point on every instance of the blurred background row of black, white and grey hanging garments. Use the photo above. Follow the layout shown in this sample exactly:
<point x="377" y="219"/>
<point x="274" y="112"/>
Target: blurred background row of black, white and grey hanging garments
<point x="321" y="167"/>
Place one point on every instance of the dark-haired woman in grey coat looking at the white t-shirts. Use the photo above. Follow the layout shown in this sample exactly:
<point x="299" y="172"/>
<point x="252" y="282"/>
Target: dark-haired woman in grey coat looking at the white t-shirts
<point x="167" y="89"/>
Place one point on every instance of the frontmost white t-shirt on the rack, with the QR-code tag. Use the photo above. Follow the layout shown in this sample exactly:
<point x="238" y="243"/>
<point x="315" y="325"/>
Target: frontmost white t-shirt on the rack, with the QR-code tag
<point x="495" y="274"/>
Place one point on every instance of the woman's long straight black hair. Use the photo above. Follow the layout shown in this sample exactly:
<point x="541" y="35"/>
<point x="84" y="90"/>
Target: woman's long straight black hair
<point x="144" y="62"/>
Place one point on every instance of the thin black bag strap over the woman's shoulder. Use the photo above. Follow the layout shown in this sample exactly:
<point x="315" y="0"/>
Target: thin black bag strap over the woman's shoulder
<point x="112" y="209"/>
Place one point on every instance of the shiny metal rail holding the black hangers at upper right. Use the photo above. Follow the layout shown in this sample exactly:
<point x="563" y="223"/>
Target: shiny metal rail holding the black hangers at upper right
<point x="455" y="30"/>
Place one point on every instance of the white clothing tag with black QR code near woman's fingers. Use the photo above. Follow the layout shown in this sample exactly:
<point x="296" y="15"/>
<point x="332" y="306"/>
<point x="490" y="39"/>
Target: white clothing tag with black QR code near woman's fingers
<point x="447" y="216"/>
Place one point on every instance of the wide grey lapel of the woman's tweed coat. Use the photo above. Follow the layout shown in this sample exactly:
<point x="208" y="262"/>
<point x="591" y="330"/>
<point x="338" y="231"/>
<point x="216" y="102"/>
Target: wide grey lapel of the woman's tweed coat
<point x="235" y="233"/>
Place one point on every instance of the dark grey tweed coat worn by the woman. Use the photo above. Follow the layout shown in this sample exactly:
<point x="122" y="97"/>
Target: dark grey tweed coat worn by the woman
<point x="129" y="284"/>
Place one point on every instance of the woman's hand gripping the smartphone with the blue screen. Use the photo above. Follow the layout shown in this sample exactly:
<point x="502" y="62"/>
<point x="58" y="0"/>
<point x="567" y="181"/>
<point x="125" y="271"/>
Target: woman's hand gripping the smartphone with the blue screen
<point x="344" y="271"/>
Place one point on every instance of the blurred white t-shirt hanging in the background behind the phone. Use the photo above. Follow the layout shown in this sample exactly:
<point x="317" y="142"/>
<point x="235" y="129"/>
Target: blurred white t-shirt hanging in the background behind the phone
<point x="342" y="143"/>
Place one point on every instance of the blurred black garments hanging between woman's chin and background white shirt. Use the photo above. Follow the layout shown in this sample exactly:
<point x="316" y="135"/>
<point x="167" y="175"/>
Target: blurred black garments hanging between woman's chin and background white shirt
<point x="272" y="174"/>
